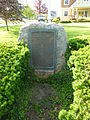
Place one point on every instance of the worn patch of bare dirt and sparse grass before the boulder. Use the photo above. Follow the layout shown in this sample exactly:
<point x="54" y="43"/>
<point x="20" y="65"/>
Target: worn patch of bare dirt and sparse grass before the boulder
<point x="41" y="103"/>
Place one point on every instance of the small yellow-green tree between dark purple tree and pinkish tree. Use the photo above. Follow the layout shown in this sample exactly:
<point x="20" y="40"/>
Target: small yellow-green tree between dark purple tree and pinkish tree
<point x="28" y="12"/>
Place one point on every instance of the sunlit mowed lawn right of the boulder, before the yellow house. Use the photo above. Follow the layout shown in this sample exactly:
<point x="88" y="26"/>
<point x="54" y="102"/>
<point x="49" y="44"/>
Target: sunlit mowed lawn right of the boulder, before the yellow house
<point x="77" y="29"/>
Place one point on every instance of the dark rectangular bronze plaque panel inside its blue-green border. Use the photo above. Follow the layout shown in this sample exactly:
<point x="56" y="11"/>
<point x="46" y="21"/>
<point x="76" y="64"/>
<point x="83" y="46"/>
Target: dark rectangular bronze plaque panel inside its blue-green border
<point x="42" y="49"/>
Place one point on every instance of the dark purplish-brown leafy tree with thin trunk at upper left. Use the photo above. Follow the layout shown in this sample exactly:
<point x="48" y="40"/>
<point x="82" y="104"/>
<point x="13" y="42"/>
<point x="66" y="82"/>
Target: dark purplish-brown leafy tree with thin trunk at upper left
<point x="10" y="10"/>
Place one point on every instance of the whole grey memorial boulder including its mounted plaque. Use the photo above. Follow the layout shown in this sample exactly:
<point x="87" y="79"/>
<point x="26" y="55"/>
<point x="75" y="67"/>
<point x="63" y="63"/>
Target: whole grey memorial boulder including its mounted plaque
<point x="47" y="43"/>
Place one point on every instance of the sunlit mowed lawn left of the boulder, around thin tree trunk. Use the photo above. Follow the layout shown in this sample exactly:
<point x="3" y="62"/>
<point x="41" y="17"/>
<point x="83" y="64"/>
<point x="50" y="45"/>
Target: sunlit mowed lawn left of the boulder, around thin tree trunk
<point x="11" y="35"/>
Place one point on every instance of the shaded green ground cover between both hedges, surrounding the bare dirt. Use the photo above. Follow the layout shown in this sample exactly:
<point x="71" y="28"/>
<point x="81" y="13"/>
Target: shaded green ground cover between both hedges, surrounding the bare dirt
<point x="61" y="97"/>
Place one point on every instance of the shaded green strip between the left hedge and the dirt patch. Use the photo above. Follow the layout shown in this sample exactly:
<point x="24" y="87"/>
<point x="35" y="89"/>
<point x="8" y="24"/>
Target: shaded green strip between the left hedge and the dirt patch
<point x="22" y="104"/>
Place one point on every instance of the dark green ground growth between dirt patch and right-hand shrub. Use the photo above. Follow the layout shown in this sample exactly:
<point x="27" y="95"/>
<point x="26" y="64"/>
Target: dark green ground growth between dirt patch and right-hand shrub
<point x="62" y="84"/>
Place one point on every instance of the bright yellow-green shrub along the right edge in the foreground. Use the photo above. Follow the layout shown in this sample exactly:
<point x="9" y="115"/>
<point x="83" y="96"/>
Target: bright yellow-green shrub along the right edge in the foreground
<point x="79" y="62"/>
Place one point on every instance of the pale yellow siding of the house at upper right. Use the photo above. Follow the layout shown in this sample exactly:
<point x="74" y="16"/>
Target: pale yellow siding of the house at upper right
<point x="72" y="10"/>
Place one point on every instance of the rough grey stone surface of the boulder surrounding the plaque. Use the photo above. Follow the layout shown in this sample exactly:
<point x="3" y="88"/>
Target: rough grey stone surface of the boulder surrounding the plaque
<point x="61" y="42"/>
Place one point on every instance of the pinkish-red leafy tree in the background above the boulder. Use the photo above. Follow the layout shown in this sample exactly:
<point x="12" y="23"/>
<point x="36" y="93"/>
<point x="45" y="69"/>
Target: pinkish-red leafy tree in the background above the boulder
<point x="40" y="7"/>
